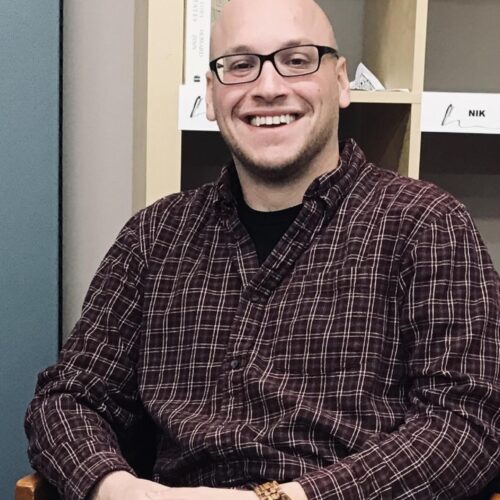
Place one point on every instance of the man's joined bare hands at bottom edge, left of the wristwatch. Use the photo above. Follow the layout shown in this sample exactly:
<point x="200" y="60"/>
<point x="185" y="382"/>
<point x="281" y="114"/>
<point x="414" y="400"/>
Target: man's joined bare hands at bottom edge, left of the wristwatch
<point x="122" y="485"/>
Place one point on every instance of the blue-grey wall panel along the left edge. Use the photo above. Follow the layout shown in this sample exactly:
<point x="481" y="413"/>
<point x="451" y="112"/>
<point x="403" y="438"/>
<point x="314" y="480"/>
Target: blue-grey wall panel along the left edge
<point x="29" y="205"/>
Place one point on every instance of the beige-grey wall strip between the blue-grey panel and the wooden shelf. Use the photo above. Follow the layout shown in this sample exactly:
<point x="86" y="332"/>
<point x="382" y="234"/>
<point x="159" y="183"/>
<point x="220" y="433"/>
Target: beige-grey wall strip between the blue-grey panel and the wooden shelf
<point x="97" y="138"/>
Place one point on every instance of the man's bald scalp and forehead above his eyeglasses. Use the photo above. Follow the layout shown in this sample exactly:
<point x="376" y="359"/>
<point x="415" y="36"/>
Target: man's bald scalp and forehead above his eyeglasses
<point x="263" y="26"/>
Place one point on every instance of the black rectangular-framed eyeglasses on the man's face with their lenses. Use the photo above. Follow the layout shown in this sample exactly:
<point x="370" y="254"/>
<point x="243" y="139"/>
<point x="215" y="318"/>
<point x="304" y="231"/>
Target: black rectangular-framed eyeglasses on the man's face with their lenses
<point x="291" y="61"/>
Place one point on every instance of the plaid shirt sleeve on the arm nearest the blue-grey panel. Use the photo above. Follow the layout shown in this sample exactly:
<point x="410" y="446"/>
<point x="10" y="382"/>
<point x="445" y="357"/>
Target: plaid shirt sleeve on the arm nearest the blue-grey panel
<point x="90" y="396"/>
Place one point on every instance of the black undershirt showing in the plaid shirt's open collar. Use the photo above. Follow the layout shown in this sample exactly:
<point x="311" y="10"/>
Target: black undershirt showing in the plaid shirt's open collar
<point x="266" y="228"/>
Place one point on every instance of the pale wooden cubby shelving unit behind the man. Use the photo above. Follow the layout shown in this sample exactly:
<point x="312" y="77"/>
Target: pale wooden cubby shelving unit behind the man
<point x="409" y="44"/>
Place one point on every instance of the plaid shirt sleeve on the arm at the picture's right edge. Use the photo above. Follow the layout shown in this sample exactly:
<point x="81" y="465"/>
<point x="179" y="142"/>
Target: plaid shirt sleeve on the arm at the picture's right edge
<point x="449" y="443"/>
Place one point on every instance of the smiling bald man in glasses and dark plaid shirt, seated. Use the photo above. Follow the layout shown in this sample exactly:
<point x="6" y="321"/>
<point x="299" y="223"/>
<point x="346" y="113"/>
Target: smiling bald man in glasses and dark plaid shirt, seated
<point x="308" y="318"/>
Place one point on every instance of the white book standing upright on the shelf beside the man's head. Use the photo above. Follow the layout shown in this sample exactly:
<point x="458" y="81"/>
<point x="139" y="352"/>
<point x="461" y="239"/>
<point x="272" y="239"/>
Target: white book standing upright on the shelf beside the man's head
<point x="199" y="16"/>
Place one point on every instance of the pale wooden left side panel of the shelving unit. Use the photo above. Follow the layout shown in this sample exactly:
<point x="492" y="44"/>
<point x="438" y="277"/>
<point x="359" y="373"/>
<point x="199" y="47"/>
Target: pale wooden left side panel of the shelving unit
<point x="159" y="34"/>
